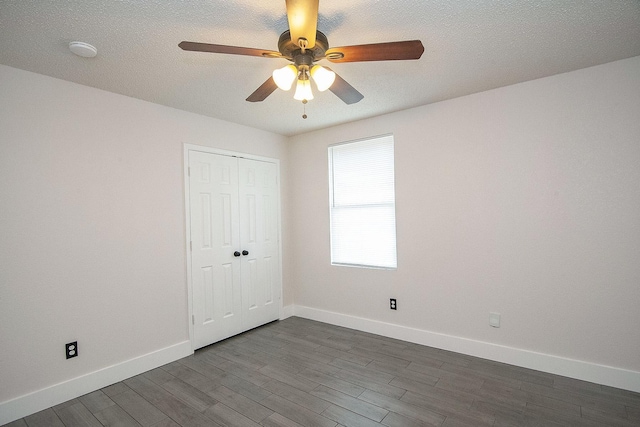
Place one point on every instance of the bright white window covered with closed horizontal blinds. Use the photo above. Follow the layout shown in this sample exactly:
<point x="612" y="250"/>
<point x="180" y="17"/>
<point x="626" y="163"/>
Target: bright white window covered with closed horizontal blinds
<point x="362" y="203"/>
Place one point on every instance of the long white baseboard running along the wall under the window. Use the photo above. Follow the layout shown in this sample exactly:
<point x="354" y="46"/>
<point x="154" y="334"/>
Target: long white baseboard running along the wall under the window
<point x="586" y="371"/>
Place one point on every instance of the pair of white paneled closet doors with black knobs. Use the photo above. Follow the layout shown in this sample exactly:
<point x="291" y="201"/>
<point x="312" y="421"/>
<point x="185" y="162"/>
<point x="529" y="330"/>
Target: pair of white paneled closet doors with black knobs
<point x="235" y="259"/>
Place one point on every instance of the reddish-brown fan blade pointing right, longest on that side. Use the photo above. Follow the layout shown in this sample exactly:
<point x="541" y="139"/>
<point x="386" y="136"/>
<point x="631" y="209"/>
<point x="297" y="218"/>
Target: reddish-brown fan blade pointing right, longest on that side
<point x="411" y="49"/>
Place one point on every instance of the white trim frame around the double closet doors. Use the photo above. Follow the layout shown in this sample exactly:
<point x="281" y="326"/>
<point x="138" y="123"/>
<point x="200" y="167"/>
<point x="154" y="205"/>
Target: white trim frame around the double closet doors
<point x="187" y="210"/>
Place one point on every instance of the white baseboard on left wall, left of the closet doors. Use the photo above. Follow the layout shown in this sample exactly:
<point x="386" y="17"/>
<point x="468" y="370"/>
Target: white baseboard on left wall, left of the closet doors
<point x="31" y="403"/>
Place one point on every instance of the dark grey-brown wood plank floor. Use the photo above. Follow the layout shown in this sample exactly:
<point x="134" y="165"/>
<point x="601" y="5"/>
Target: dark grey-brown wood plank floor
<point x="298" y="372"/>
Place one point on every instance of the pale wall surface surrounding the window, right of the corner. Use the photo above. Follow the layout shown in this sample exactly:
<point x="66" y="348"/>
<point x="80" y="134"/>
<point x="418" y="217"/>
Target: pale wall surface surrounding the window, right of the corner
<point x="523" y="200"/>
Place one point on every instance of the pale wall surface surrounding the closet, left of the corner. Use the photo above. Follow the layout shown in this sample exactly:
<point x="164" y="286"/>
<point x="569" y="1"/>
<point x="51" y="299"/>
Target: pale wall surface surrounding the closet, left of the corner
<point x="92" y="229"/>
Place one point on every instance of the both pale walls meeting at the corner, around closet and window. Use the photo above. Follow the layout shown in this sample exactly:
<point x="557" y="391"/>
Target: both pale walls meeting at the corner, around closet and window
<point x="522" y="200"/>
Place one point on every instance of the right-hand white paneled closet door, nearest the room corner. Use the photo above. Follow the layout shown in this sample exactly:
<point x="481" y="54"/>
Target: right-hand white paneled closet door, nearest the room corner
<point x="260" y="267"/>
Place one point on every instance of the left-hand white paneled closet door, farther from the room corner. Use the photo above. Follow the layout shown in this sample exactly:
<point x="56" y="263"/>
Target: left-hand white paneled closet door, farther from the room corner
<point x="215" y="238"/>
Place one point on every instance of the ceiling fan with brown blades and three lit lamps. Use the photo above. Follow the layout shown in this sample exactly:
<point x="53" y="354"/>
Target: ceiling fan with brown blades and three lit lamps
<point x="303" y="45"/>
